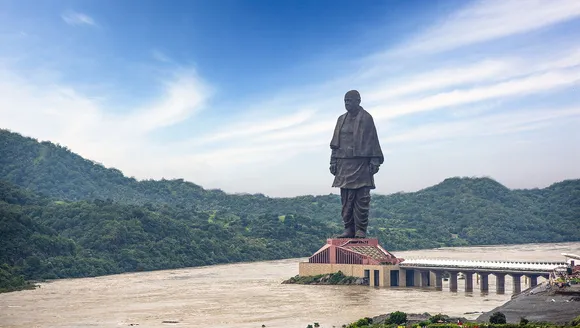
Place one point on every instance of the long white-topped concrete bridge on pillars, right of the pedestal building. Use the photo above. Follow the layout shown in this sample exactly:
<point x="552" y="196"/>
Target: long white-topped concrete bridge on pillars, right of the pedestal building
<point x="429" y="272"/>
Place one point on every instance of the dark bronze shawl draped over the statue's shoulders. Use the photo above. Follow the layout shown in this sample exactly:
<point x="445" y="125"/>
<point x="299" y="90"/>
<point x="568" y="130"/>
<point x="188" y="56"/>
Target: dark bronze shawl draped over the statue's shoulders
<point x="366" y="140"/>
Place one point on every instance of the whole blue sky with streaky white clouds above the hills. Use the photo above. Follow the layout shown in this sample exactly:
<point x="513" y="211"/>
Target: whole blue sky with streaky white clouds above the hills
<point x="244" y="95"/>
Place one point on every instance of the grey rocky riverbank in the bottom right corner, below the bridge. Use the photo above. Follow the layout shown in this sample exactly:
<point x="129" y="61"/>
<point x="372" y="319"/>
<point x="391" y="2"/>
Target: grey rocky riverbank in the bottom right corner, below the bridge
<point x="543" y="303"/>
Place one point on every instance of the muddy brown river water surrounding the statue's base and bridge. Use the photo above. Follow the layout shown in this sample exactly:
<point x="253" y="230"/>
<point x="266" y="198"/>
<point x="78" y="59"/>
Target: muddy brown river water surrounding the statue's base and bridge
<point x="250" y="295"/>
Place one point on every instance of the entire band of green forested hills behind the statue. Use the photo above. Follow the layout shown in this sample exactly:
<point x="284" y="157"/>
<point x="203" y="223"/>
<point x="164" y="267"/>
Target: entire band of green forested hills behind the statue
<point x="66" y="216"/>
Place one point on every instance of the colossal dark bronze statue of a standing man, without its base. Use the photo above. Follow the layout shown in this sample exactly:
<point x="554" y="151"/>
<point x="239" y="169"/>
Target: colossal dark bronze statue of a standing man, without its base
<point x="355" y="158"/>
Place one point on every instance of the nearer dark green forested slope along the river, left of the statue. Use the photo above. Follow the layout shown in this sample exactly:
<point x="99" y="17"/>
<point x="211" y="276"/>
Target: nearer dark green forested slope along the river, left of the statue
<point x="41" y="238"/>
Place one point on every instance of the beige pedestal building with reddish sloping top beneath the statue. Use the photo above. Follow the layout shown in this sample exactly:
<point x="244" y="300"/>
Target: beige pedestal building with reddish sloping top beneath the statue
<point x="363" y="258"/>
